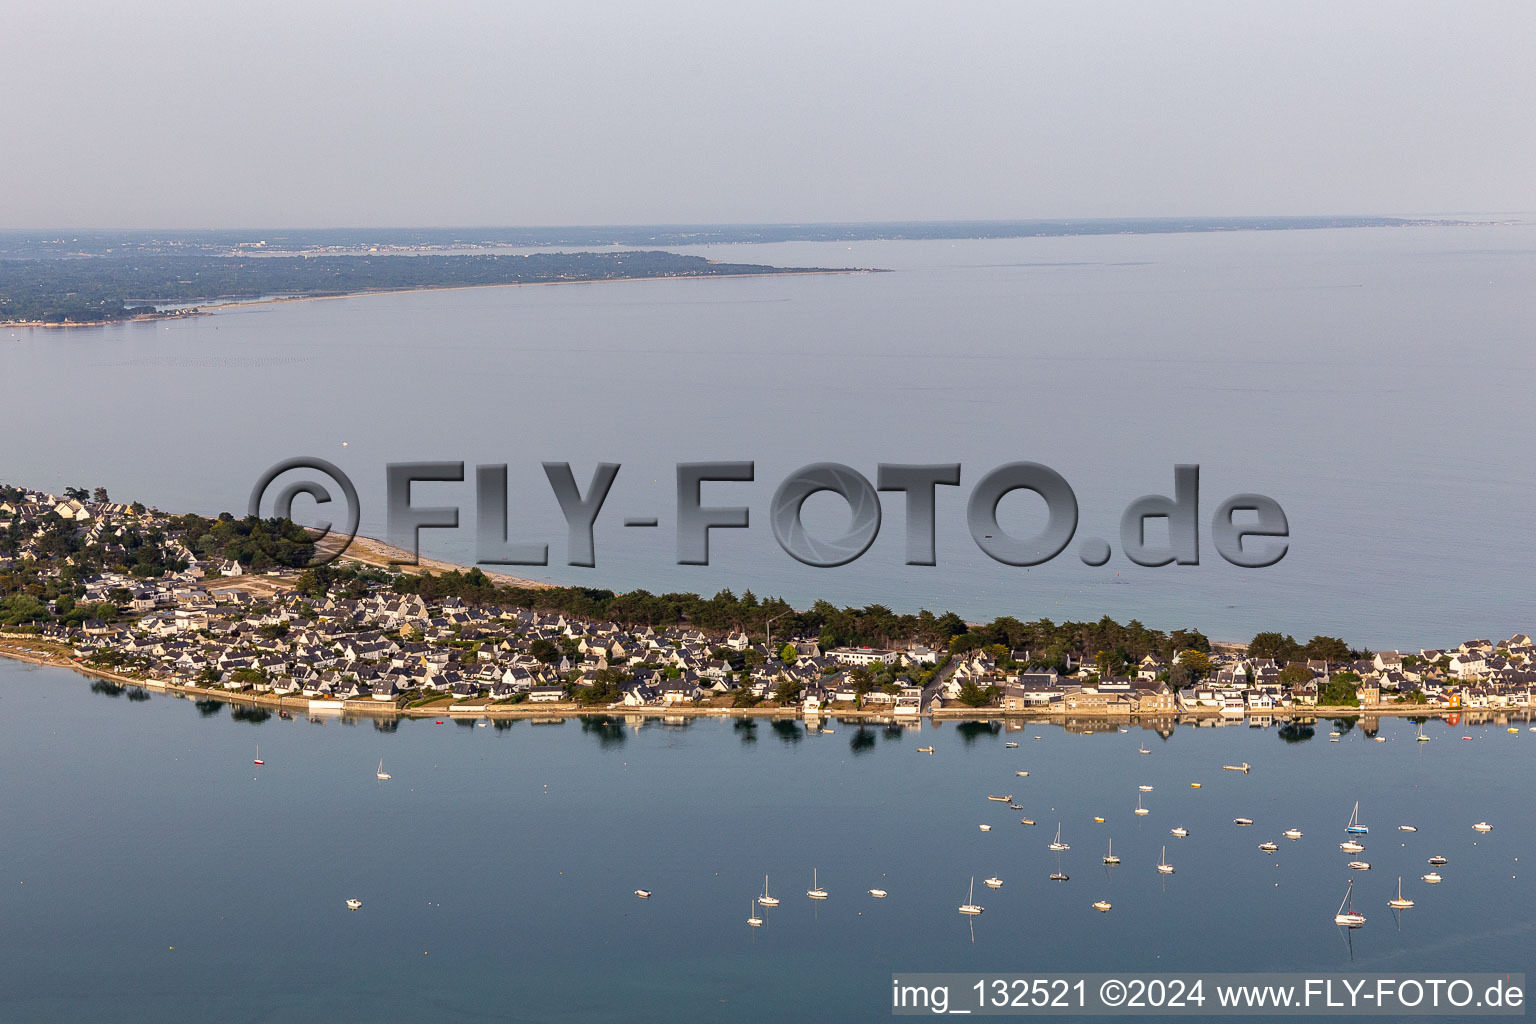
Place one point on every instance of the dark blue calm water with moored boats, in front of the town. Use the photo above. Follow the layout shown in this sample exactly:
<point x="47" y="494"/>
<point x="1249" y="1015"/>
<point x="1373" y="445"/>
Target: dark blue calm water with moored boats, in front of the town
<point x="150" y="873"/>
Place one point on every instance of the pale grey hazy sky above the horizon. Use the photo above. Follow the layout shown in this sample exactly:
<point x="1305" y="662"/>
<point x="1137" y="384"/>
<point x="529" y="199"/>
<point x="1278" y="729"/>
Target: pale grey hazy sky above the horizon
<point x="207" y="114"/>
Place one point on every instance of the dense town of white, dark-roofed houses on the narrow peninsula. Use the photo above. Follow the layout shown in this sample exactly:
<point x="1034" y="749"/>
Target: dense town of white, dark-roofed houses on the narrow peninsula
<point x="145" y="600"/>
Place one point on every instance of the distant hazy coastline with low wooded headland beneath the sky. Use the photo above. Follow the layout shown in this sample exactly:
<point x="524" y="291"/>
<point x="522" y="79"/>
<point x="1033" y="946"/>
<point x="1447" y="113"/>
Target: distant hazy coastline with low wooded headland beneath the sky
<point x="99" y="277"/>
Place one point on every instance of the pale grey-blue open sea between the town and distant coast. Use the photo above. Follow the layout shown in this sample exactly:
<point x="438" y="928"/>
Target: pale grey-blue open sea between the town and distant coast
<point x="1374" y="382"/>
